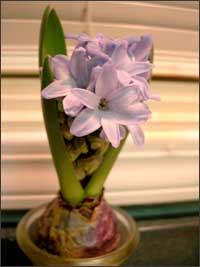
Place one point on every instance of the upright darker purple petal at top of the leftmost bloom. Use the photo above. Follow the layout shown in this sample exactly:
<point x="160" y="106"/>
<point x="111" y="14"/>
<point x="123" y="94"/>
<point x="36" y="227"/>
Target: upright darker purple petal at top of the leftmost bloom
<point x="78" y="67"/>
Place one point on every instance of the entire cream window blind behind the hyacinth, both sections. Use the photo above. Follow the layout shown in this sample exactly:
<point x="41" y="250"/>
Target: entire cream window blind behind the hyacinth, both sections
<point x="166" y="168"/>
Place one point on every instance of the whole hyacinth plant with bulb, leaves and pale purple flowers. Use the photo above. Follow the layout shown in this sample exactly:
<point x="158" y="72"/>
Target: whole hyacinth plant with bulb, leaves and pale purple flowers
<point x="91" y="100"/>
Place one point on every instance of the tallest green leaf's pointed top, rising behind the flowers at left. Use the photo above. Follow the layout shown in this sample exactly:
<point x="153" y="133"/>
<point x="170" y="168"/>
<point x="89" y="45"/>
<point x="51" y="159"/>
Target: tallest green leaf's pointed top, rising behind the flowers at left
<point x="52" y="41"/>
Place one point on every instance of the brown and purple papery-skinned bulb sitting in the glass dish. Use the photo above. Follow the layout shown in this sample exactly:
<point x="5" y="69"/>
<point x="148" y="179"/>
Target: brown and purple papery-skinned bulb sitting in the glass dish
<point x="88" y="230"/>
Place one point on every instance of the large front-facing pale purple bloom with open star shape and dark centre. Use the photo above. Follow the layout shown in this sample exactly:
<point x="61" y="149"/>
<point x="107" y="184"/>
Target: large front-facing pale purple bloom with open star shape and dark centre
<point x="108" y="107"/>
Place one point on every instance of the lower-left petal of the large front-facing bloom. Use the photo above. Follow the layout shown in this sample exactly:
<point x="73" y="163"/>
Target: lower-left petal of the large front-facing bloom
<point x="85" y="123"/>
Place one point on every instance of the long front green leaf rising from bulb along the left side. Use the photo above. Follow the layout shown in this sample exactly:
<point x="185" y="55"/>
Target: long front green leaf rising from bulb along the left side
<point x="71" y="188"/>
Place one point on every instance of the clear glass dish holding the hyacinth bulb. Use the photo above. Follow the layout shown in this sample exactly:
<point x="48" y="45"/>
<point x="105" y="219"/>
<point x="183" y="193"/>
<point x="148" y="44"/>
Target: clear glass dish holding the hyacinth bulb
<point x="39" y="257"/>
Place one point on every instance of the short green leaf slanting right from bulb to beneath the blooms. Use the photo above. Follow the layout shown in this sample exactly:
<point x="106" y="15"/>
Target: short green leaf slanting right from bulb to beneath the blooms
<point x="95" y="185"/>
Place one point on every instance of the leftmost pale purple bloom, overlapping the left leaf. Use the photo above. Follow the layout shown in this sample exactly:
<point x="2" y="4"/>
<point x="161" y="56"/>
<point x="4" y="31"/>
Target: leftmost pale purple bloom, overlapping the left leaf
<point x="68" y="74"/>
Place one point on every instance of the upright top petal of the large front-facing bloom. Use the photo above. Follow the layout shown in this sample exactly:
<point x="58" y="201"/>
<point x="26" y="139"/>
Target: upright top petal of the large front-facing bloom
<point x="107" y="80"/>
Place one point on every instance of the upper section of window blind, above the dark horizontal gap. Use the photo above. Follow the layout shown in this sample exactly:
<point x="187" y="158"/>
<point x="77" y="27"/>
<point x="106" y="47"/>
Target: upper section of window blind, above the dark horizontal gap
<point x="174" y="30"/>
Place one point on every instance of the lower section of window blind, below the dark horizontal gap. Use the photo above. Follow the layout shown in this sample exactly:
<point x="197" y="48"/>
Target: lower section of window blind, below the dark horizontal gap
<point x="164" y="170"/>
